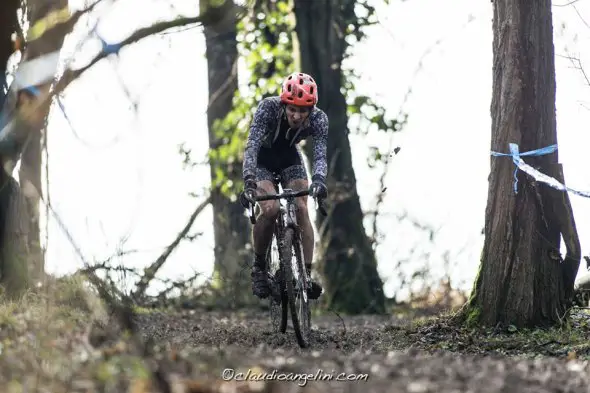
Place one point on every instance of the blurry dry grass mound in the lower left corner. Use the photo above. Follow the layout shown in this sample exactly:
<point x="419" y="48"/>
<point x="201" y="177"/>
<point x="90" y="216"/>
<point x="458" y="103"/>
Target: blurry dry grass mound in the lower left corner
<point x="45" y="342"/>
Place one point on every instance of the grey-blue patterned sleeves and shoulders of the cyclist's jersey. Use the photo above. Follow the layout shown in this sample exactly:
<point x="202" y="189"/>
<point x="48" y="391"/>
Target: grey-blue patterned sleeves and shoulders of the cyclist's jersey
<point x="266" y="126"/>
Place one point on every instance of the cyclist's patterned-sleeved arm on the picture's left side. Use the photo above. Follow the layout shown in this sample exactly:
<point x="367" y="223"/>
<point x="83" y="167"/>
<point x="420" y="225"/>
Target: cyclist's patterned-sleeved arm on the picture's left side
<point x="262" y="119"/>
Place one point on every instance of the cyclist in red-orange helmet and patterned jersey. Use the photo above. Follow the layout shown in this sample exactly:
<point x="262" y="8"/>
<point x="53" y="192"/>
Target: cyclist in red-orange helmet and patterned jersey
<point x="279" y="124"/>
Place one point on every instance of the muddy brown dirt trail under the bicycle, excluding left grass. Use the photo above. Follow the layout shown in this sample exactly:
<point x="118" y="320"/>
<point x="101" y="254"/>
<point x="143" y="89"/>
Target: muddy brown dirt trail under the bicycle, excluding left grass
<point x="374" y="353"/>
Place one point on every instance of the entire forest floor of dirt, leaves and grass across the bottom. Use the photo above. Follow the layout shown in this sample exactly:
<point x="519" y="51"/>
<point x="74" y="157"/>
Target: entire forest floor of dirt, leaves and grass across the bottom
<point x="73" y="347"/>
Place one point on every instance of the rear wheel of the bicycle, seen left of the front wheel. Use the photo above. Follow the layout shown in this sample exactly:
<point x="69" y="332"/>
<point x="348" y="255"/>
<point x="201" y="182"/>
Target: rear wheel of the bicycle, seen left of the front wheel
<point x="278" y="304"/>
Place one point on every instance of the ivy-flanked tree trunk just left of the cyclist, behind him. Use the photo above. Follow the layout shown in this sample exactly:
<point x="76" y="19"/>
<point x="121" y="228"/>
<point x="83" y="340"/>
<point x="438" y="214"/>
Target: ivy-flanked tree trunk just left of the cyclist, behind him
<point x="230" y="226"/>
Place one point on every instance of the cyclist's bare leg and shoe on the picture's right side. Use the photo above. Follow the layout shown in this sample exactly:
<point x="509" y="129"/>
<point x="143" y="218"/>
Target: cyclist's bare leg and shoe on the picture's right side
<point x="295" y="178"/>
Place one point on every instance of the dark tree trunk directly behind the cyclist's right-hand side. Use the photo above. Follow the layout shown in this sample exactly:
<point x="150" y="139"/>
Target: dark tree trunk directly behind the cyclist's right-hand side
<point x="349" y="266"/>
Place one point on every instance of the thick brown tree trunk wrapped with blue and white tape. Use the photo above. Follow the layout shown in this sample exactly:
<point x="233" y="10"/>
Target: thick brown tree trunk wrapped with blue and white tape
<point x="522" y="280"/>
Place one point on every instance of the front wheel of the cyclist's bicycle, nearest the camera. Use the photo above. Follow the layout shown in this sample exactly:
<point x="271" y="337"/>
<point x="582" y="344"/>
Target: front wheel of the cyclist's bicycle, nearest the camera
<point x="296" y="285"/>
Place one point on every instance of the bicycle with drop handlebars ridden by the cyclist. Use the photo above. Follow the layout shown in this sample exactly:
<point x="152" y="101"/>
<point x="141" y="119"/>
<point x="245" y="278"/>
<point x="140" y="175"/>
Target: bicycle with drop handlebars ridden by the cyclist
<point x="288" y="279"/>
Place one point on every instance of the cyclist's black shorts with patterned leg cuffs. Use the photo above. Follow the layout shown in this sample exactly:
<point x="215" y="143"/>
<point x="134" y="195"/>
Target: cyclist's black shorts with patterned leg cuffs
<point x="288" y="163"/>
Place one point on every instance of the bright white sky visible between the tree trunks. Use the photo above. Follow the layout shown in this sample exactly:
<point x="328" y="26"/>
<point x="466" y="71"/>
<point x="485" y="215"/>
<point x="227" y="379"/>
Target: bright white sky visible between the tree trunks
<point x="105" y="188"/>
